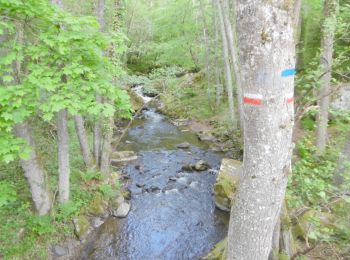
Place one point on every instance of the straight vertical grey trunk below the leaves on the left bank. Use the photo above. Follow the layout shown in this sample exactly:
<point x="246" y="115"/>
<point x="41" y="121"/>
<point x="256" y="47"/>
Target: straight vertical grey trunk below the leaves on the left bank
<point x="63" y="156"/>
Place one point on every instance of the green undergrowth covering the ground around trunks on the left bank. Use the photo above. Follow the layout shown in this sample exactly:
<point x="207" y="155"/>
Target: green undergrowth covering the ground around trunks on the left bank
<point x="23" y="234"/>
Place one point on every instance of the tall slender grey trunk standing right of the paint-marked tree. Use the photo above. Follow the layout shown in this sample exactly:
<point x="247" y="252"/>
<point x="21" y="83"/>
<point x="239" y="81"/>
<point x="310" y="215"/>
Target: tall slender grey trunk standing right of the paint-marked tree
<point x="328" y="31"/>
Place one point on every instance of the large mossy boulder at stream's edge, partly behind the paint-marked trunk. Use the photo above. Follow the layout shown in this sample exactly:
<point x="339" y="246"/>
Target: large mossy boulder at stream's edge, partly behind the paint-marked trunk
<point x="227" y="183"/>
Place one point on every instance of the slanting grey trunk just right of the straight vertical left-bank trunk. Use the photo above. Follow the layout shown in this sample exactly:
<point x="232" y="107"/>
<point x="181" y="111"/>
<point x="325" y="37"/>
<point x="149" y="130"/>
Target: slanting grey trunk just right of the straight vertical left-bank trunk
<point x="83" y="140"/>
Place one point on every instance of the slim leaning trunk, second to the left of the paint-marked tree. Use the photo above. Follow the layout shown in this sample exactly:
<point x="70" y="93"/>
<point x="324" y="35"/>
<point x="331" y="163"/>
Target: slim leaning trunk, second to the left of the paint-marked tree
<point x="227" y="65"/>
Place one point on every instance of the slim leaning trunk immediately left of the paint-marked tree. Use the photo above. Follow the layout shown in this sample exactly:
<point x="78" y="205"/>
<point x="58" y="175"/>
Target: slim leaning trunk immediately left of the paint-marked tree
<point x="234" y="58"/>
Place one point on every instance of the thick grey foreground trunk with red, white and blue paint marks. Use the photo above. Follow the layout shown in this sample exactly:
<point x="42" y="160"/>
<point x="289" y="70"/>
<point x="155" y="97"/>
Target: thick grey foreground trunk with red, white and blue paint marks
<point x="266" y="50"/>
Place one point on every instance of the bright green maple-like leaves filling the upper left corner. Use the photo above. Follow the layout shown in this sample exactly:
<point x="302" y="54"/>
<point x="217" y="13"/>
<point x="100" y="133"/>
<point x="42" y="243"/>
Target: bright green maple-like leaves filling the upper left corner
<point x="64" y="68"/>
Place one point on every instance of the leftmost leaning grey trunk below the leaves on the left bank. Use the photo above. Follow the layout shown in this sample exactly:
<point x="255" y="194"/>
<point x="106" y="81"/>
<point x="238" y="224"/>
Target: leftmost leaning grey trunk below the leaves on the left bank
<point x="34" y="172"/>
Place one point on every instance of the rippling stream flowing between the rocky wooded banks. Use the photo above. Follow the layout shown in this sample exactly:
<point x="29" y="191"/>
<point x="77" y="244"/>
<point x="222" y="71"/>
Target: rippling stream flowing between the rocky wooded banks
<point x="172" y="215"/>
